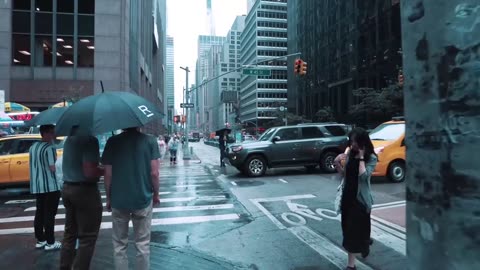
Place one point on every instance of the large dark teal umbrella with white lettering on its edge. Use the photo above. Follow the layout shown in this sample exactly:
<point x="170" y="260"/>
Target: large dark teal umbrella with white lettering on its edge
<point x="106" y="112"/>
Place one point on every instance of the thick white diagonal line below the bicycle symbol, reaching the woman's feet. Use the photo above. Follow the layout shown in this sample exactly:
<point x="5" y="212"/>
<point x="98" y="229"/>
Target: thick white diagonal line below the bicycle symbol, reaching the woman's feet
<point x="324" y="247"/>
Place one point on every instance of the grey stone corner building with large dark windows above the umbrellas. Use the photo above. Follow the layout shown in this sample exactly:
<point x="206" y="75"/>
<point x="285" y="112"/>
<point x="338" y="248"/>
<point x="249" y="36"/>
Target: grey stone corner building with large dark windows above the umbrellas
<point x="61" y="50"/>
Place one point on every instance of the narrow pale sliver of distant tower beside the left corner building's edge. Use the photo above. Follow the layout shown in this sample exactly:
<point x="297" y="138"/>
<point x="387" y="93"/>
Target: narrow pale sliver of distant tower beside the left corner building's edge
<point x="170" y="83"/>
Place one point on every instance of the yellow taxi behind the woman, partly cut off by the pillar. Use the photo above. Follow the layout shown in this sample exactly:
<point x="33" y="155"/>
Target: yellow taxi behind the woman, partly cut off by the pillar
<point x="389" y="142"/>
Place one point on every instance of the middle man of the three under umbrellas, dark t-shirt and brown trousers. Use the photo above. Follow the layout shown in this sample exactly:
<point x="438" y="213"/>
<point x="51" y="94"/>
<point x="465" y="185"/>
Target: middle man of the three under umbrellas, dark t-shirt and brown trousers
<point x="82" y="201"/>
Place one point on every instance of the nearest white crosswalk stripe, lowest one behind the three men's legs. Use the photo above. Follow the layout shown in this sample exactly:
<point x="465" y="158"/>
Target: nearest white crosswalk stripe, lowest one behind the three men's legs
<point x="157" y="221"/>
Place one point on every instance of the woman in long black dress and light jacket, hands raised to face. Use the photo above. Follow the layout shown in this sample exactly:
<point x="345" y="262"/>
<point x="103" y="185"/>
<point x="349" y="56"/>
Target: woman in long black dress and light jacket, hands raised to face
<point x="356" y="203"/>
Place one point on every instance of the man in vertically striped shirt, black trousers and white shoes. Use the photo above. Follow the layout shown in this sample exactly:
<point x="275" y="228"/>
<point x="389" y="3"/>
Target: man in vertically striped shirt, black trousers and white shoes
<point x="44" y="185"/>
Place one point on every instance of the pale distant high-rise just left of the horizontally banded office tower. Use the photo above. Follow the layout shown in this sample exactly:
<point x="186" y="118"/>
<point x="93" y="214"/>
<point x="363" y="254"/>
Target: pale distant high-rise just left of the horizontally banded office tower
<point x="203" y="72"/>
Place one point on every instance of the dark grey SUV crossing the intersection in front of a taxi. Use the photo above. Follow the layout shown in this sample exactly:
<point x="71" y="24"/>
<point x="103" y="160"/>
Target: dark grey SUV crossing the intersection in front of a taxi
<point x="308" y="145"/>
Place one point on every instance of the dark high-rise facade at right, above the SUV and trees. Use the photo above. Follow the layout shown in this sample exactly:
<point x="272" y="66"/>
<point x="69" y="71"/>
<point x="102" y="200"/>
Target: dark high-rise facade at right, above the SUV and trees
<point x="355" y="44"/>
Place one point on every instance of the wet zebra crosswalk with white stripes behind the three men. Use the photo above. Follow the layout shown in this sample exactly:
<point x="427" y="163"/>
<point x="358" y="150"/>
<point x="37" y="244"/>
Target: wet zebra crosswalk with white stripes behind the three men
<point x="188" y="195"/>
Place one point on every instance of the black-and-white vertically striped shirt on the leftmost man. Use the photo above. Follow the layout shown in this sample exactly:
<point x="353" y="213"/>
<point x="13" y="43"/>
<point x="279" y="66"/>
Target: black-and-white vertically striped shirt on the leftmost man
<point x="42" y="179"/>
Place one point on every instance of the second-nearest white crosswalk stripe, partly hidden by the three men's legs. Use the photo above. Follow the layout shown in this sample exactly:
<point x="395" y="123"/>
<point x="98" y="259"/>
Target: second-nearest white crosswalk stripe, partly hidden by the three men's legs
<point x="155" y="210"/>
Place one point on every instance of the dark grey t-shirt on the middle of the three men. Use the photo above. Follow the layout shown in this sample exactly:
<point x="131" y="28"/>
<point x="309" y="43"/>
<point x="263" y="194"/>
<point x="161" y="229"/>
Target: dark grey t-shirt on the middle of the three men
<point x="76" y="151"/>
